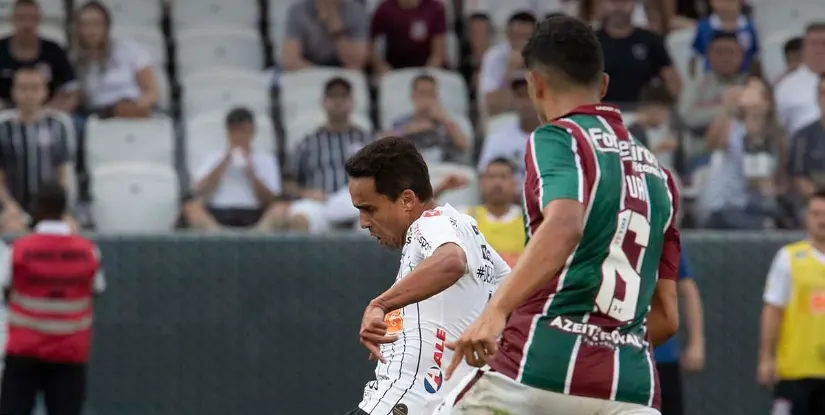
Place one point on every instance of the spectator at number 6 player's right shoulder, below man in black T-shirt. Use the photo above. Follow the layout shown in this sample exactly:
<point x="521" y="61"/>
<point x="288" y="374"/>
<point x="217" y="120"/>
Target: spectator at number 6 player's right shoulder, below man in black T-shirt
<point x="652" y="126"/>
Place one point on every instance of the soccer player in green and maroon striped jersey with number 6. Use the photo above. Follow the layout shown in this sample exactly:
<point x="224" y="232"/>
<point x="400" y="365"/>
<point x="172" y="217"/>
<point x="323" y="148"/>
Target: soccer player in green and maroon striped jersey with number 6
<point x="595" y="285"/>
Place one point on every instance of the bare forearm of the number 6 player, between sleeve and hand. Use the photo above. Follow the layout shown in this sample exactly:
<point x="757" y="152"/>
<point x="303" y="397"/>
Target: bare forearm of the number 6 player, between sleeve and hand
<point x="544" y="256"/>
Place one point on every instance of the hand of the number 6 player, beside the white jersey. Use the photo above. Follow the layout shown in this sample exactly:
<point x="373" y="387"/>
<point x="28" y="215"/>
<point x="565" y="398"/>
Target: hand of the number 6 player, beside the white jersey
<point x="478" y="343"/>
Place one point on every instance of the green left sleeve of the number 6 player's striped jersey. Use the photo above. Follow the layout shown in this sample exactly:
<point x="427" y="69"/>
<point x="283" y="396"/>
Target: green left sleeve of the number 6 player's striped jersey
<point x="559" y="157"/>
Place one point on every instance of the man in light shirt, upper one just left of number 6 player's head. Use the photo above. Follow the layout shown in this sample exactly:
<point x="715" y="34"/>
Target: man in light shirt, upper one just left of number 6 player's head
<point x="501" y="62"/>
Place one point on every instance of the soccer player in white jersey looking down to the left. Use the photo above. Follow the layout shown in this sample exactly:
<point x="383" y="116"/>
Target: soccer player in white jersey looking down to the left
<point x="447" y="274"/>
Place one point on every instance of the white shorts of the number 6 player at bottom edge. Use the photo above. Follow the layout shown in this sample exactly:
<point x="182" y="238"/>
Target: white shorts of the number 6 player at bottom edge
<point x="491" y="393"/>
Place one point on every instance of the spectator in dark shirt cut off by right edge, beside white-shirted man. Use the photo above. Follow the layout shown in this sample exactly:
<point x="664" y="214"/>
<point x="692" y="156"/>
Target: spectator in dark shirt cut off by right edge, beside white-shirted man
<point x="807" y="156"/>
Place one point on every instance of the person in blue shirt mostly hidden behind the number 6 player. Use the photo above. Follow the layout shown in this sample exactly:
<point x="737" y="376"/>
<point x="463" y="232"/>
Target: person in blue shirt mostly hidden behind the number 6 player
<point x="668" y="361"/>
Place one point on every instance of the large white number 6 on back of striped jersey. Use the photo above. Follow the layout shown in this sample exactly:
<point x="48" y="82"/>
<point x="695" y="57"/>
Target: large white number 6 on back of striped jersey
<point x="624" y="265"/>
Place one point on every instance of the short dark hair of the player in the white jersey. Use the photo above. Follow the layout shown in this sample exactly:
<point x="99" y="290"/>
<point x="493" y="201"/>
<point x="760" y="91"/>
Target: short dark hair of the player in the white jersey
<point x="395" y="165"/>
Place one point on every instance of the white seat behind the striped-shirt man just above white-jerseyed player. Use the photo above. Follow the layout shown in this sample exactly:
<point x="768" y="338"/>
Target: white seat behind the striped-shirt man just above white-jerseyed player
<point x="305" y="89"/>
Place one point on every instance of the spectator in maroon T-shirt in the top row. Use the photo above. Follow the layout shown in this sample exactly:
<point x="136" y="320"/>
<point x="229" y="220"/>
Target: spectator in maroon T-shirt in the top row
<point x="414" y="34"/>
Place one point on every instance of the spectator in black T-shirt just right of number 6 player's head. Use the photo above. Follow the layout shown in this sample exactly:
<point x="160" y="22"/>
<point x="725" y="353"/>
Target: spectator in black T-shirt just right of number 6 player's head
<point x="633" y="56"/>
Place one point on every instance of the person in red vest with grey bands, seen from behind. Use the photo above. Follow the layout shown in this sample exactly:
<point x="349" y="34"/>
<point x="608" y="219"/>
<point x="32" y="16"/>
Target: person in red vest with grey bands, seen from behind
<point x="49" y="277"/>
